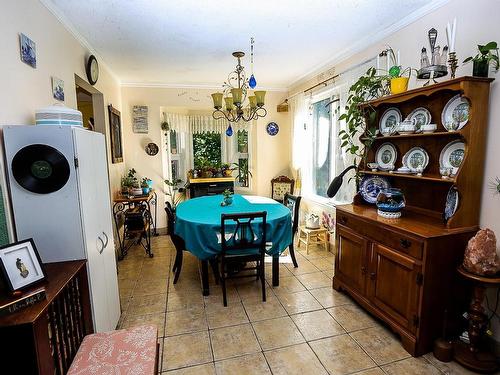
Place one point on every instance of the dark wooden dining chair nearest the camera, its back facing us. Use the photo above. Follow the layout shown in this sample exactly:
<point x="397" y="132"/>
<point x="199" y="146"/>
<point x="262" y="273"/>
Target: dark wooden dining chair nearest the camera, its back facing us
<point x="243" y="242"/>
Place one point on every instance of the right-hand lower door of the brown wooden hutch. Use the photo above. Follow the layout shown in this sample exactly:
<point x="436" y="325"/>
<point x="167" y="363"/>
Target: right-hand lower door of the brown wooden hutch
<point x="395" y="281"/>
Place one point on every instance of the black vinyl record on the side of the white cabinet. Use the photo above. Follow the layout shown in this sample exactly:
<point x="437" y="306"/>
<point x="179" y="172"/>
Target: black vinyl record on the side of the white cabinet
<point x="40" y="169"/>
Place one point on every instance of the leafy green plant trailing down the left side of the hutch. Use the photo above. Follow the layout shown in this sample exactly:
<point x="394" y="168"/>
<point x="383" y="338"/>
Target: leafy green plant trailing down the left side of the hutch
<point x="360" y="120"/>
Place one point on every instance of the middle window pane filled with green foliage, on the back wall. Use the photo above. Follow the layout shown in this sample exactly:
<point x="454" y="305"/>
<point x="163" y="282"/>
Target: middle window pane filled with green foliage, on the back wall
<point x="207" y="149"/>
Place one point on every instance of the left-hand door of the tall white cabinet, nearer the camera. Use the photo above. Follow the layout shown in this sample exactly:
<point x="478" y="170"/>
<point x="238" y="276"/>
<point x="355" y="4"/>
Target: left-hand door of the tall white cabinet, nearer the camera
<point x="91" y="224"/>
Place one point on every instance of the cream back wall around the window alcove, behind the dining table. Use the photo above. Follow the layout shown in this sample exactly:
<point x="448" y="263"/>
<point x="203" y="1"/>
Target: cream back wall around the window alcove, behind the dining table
<point x="271" y="155"/>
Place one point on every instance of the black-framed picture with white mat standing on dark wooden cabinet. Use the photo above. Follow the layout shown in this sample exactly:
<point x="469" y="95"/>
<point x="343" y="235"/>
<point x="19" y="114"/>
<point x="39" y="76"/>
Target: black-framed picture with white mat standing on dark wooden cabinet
<point x="21" y="265"/>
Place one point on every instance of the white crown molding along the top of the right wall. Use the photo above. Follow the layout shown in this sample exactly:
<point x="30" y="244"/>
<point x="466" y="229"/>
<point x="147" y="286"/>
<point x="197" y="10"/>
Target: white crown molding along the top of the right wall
<point x="369" y="40"/>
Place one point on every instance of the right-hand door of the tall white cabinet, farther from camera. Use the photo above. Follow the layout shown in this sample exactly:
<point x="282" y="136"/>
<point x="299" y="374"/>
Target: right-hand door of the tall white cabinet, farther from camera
<point x="106" y="231"/>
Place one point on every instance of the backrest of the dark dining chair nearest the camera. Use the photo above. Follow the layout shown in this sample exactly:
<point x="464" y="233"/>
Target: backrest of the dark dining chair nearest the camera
<point x="244" y="230"/>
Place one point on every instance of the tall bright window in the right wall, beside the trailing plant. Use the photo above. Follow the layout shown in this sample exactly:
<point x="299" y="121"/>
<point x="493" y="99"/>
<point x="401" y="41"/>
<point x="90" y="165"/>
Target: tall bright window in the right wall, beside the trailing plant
<point x="322" y="160"/>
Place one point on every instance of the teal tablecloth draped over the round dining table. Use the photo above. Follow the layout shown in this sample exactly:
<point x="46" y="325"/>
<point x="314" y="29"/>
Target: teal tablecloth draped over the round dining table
<point x="198" y="223"/>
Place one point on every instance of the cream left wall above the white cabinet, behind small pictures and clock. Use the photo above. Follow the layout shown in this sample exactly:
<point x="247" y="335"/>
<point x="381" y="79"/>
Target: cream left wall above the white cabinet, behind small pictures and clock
<point x="59" y="54"/>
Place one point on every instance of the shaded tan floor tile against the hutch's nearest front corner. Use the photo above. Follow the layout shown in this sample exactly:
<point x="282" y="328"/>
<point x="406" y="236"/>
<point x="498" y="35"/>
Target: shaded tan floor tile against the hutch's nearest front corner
<point x="380" y="344"/>
